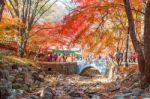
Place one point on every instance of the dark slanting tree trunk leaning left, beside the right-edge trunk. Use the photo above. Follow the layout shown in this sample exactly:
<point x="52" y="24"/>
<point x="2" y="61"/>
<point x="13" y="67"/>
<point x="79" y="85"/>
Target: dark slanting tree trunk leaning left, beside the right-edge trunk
<point x="136" y="44"/>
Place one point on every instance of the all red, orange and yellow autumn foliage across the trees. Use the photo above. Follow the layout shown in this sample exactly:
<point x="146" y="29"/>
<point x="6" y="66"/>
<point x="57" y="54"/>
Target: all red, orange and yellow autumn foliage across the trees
<point x="97" y="25"/>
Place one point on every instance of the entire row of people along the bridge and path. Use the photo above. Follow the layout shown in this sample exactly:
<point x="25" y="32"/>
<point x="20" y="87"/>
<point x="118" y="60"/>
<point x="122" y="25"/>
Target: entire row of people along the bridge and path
<point x="61" y="57"/>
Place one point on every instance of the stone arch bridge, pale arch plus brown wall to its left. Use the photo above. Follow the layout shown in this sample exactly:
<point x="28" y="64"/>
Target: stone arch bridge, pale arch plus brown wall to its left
<point x="73" y="67"/>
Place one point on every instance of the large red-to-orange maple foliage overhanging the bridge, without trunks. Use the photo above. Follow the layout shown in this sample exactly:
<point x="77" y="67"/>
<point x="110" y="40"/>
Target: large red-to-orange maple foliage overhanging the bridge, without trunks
<point x="96" y="18"/>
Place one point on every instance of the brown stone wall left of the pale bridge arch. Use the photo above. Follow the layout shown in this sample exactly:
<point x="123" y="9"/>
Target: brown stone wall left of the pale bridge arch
<point x="56" y="67"/>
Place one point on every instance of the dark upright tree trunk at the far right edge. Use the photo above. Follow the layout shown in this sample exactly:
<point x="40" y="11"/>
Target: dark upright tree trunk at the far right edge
<point x="146" y="42"/>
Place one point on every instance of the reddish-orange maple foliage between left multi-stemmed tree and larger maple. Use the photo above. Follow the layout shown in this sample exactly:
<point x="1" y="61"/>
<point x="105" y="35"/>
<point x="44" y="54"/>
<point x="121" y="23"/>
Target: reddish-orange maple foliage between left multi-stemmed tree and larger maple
<point x="44" y="35"/>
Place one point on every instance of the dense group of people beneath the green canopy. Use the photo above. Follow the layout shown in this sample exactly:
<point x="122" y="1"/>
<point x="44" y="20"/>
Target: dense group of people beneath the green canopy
<point x="55" y="57"/>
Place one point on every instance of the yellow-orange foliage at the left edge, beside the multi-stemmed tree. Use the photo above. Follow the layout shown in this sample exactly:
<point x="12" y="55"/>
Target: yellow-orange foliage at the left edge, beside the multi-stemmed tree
<point x="8" y="32"/>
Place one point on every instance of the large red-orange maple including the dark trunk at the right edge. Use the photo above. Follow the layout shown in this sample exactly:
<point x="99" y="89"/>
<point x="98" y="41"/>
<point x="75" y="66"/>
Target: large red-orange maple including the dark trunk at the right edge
<point x="89" y="13"/>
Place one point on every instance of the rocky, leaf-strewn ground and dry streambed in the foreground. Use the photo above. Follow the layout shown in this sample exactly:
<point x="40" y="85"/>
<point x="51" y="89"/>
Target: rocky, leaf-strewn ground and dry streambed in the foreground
<point x="25" y="81"/>
